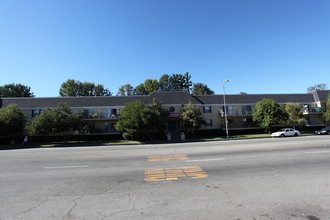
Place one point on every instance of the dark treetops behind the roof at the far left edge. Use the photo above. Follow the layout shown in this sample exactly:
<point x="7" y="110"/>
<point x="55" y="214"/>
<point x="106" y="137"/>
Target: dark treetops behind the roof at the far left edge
<point x="15" y="90"/>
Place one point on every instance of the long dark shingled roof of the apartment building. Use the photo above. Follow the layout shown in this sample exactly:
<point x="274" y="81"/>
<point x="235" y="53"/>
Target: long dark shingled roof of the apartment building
<point x="165" y="97"/>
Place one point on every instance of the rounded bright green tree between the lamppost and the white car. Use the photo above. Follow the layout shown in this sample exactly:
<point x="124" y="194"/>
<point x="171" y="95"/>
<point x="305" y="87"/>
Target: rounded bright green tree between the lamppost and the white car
<point x="268" y="113"/>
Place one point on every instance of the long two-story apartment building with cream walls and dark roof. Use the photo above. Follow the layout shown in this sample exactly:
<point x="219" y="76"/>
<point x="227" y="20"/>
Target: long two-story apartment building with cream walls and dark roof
<point x="104" y="112"/>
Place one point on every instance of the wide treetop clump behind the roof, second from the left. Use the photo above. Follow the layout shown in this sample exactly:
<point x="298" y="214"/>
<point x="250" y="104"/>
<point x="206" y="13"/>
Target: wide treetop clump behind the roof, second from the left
<point x="76" y="88"/>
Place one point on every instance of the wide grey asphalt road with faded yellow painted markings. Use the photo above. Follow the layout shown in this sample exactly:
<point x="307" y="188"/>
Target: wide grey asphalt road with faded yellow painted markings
<point x="282" y="178"/>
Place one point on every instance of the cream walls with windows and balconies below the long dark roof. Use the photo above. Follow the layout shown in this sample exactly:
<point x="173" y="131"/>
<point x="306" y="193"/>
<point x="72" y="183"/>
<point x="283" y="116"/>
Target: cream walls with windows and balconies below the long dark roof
<point x="239" y="115"/>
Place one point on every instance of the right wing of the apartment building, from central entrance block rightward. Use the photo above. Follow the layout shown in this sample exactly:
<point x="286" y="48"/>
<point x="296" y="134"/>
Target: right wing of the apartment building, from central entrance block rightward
<point x="240" y="108"/>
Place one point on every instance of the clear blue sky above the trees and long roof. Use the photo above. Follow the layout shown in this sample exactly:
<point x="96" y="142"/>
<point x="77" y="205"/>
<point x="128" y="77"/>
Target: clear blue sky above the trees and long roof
<point x="261" y="46"/>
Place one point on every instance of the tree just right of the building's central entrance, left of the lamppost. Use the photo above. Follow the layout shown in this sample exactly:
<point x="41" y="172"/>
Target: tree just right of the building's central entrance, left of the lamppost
<point x="192" y="118"/>
